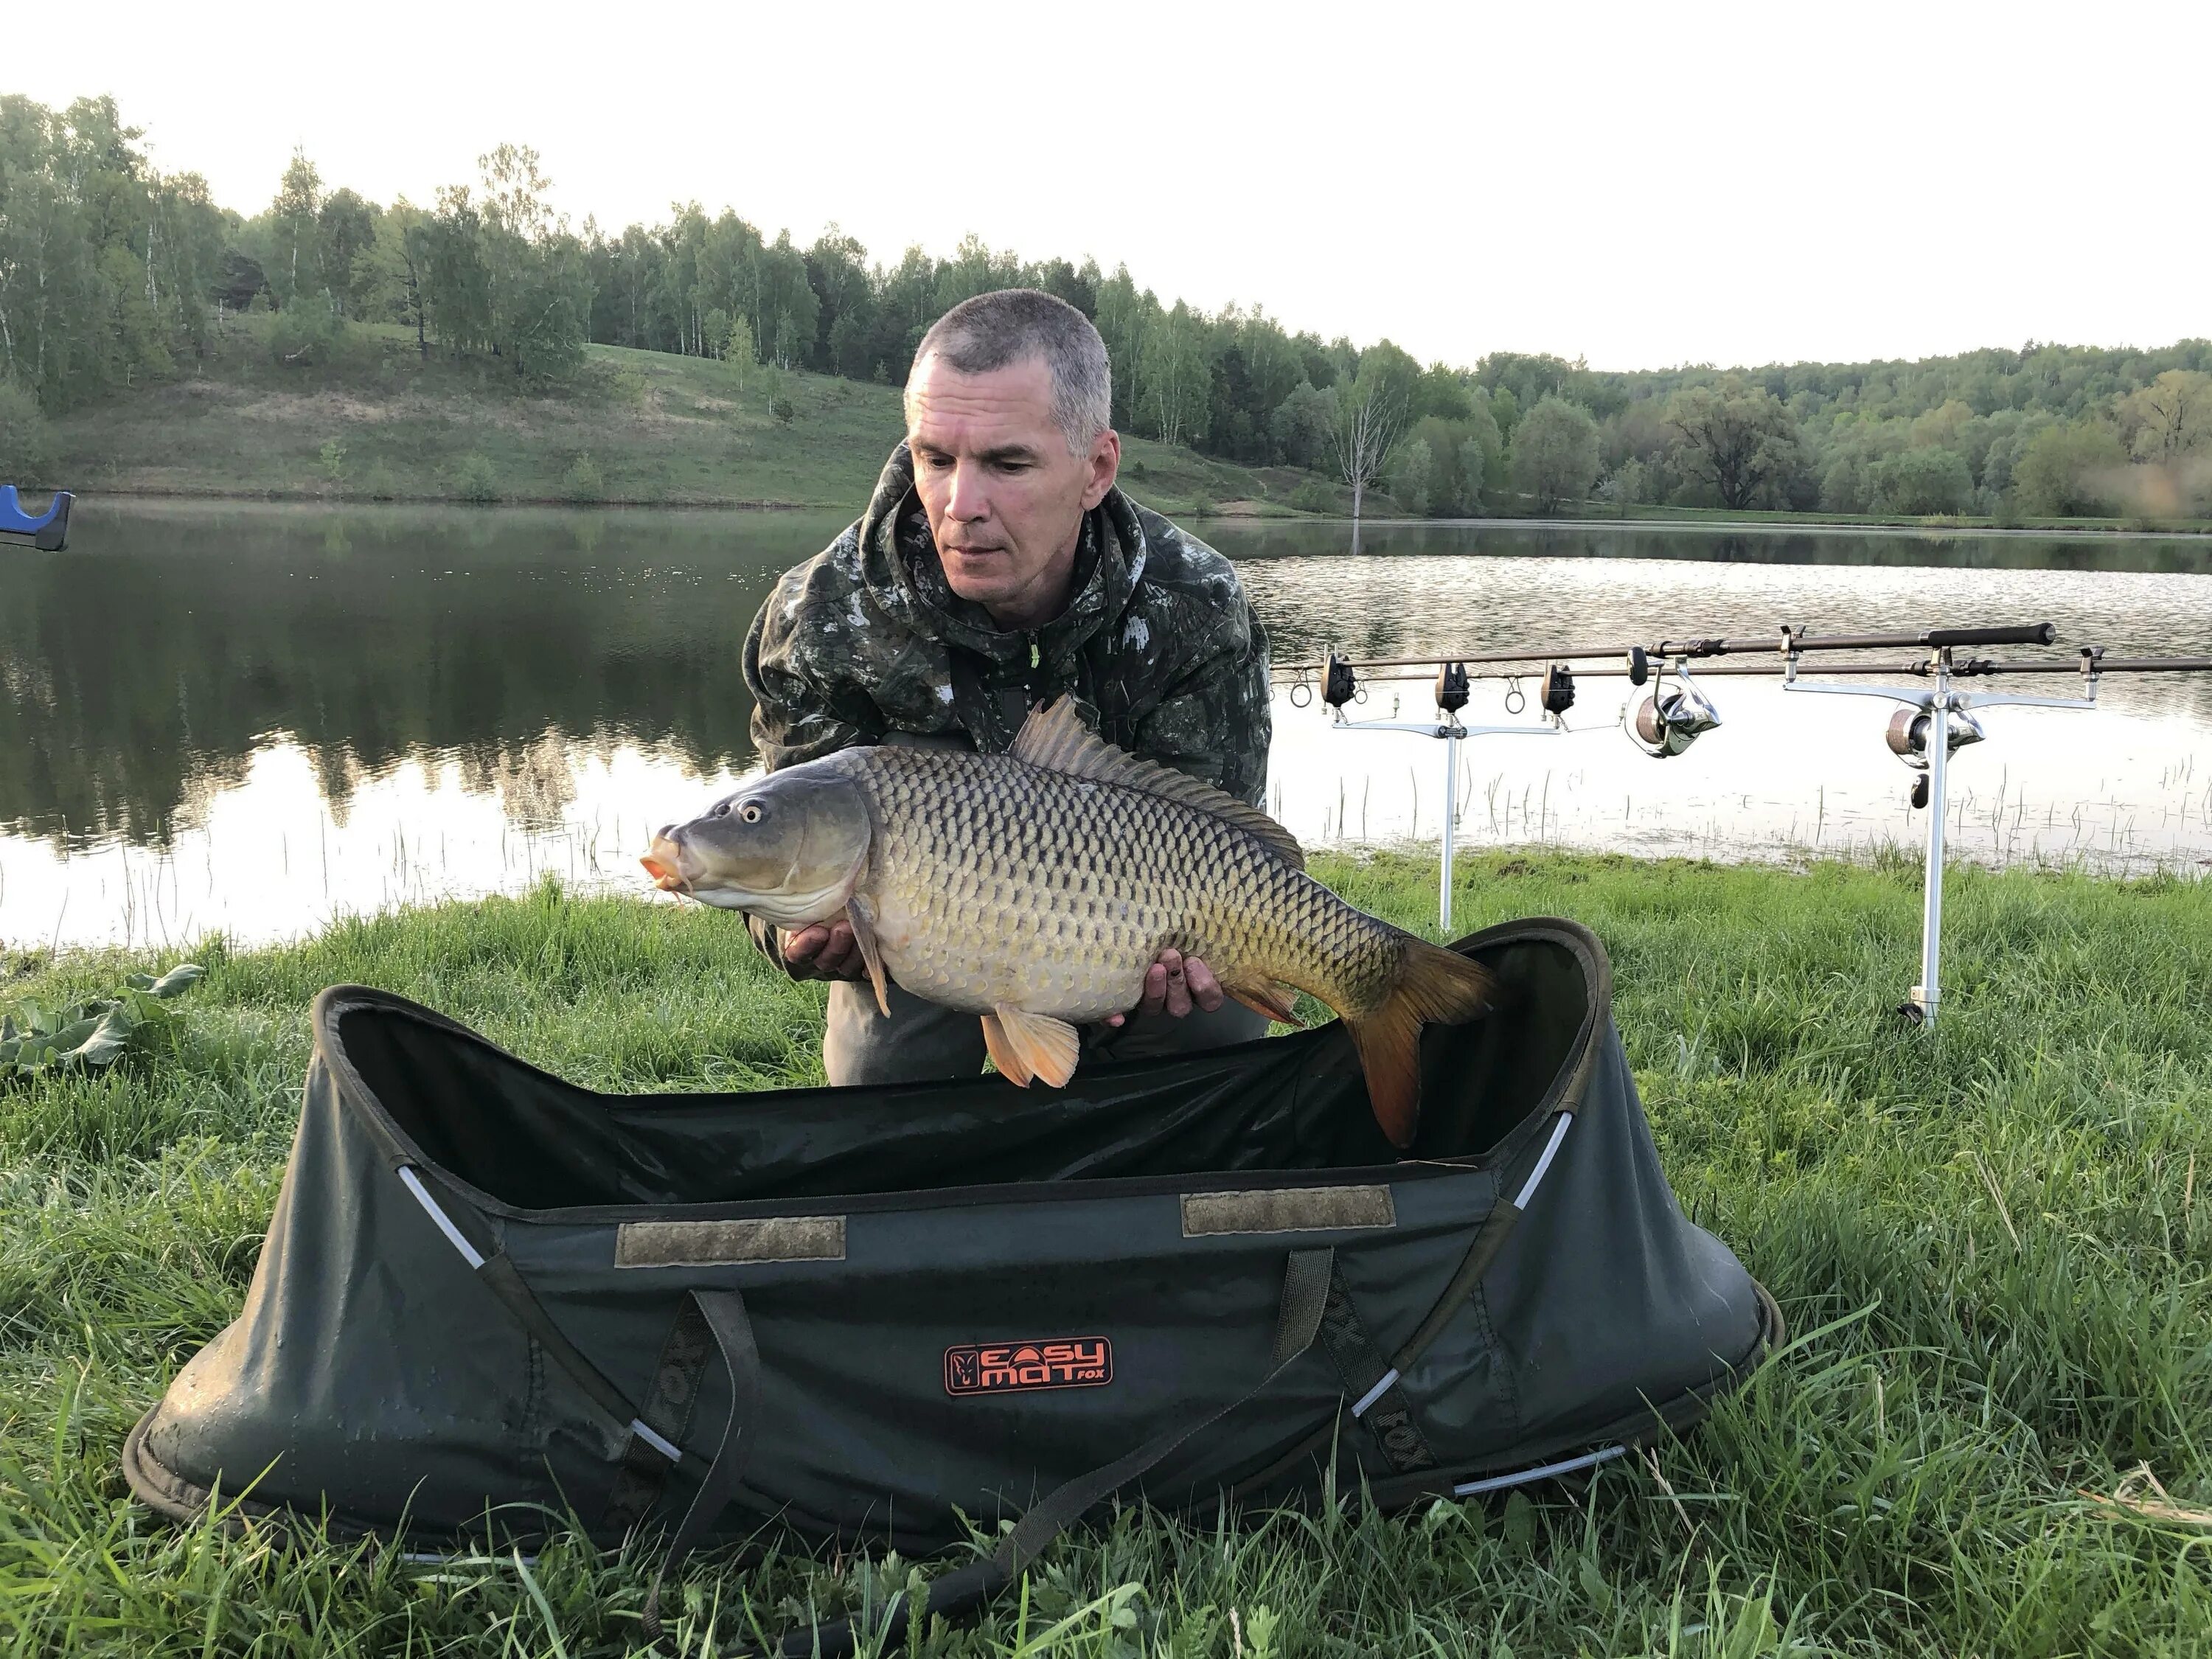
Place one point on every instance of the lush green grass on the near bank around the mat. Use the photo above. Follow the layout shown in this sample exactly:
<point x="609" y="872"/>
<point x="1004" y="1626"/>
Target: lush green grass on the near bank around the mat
<point x="1994" y="1242"/>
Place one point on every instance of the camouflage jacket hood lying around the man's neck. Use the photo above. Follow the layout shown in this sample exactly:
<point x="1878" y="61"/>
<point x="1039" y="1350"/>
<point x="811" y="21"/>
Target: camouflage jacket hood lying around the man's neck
<point x="899" y="563"/>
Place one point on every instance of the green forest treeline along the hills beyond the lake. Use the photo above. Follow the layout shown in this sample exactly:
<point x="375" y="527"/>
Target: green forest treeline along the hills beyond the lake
<point x="114" y="273"/>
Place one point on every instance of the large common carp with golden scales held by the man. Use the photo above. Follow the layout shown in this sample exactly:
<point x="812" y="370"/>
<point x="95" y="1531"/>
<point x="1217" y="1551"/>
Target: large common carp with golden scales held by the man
<point x="1036" y="888"/>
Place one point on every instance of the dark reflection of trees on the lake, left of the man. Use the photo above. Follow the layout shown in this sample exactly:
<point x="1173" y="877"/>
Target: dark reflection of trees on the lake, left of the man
<point x="147" y="669"/>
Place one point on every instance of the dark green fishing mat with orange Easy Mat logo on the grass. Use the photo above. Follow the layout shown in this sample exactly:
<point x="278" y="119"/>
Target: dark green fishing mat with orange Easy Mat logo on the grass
<point x="492" y="1297"/>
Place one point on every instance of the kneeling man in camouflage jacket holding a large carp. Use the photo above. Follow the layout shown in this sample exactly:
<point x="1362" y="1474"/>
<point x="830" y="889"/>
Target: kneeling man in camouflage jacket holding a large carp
<point x="994" y="572"/>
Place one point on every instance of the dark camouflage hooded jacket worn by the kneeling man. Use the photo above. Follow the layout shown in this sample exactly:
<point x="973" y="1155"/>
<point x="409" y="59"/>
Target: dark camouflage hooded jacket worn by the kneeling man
<point x="1160" y="647"/>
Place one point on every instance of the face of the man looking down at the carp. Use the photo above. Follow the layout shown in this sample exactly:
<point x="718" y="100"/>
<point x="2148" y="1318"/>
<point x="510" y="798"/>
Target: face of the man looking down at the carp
<point x="1005" y="497"/>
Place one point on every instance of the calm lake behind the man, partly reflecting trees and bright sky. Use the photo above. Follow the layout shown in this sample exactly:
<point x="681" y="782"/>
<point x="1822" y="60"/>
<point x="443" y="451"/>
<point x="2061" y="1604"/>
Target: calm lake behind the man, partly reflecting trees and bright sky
<point x="260" y="718"/>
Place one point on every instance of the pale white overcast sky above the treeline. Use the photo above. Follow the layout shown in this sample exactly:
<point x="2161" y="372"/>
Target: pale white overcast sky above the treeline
<point x="1638" y="185"/>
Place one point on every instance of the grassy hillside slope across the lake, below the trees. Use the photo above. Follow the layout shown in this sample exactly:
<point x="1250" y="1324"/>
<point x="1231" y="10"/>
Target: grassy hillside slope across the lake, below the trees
<point x="640" y="428"/>
